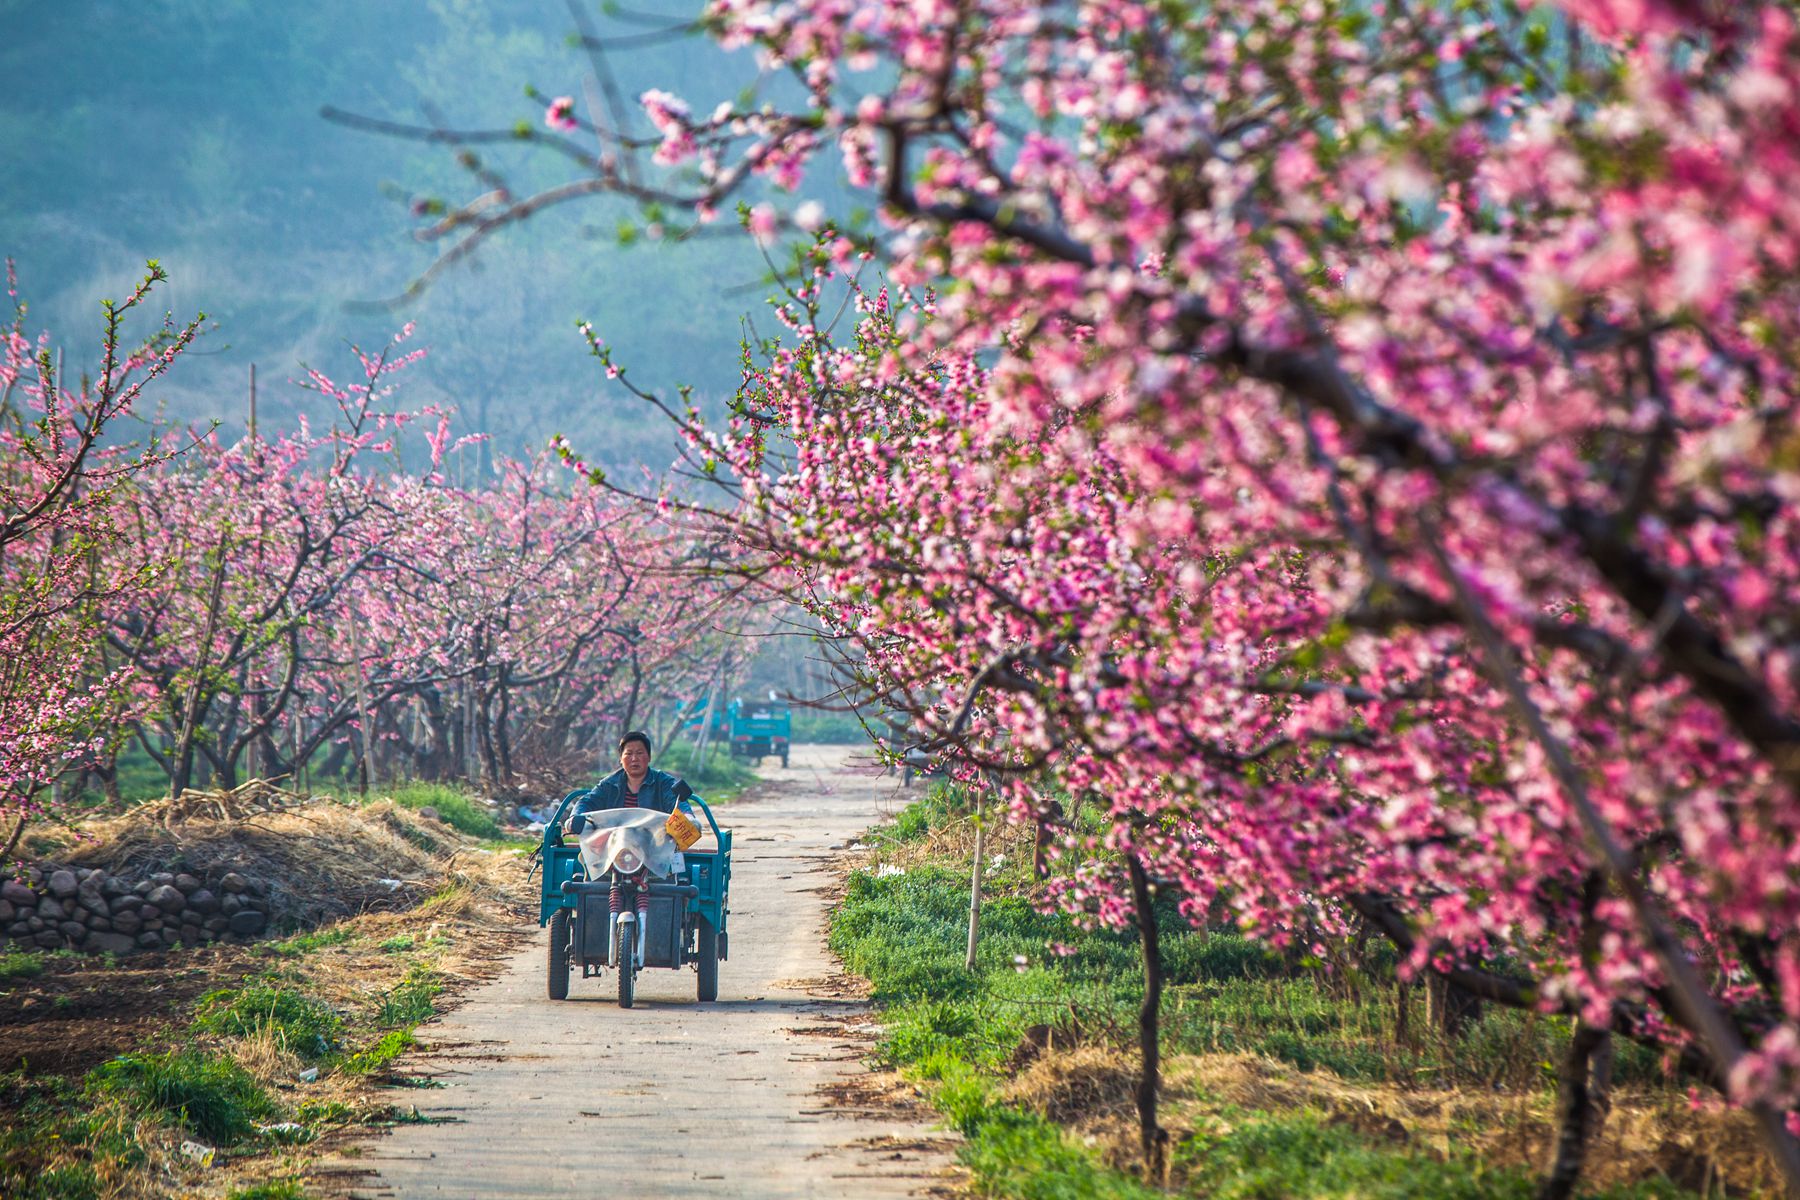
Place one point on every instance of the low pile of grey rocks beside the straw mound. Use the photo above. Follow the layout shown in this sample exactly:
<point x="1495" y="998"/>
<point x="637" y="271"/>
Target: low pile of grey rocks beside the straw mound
<point x="94" y="911"/>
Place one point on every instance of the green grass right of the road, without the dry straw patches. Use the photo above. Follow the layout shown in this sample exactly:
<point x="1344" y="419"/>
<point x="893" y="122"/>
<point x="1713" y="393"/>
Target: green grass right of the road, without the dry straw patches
<point x="957" y="1032"/>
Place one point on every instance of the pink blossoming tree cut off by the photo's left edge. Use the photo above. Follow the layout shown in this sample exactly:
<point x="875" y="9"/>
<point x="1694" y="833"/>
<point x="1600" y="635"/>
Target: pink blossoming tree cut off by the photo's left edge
<point x="62" y="546"/>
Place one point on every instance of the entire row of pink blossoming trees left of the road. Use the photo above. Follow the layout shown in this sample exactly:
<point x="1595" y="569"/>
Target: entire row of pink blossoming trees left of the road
<point x="319" y="602"/>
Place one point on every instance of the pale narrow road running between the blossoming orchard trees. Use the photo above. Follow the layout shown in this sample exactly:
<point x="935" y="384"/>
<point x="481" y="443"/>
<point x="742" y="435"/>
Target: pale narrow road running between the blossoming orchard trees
<point x="760" y="1095"/>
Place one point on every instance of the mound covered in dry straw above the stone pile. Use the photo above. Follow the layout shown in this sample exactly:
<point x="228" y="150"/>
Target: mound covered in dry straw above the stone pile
<point x="321" y="859"/>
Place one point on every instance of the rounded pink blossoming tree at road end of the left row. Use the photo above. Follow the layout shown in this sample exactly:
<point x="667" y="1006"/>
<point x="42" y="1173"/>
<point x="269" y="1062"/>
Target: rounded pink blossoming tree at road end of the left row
<point x="557" y="618"/>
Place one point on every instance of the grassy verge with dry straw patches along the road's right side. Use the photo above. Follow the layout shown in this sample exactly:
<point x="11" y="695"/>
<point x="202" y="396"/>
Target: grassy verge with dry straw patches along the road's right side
<point x="1281" y="1080"/>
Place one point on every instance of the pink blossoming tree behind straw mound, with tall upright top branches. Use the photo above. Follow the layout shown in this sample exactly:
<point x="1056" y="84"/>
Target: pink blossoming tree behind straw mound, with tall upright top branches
<point x="262" y="539"/>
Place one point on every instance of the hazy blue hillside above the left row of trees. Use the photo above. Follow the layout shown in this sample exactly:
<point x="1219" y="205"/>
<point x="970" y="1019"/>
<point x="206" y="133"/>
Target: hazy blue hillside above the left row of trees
<point x="190" y="132"/>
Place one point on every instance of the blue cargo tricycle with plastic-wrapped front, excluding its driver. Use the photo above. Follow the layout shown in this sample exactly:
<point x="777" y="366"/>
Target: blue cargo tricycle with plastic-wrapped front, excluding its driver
<point x="681" y="924"/>
